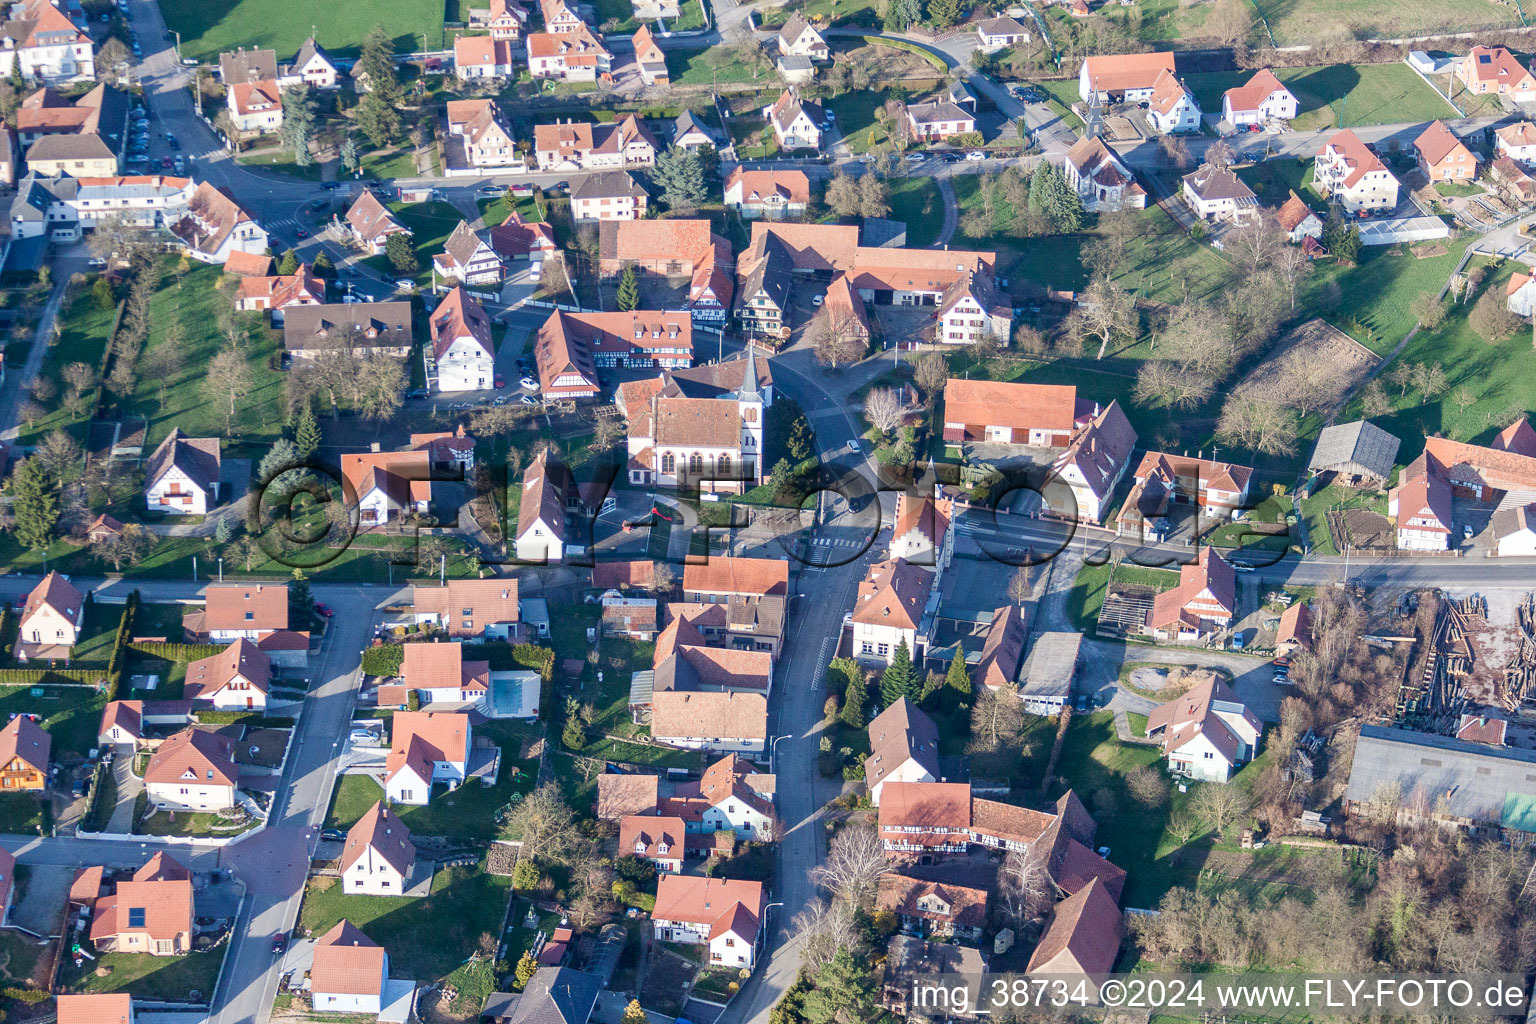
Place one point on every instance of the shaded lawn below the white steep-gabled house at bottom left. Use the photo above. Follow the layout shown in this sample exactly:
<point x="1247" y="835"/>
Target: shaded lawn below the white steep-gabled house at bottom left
<point x="426" y="939"/>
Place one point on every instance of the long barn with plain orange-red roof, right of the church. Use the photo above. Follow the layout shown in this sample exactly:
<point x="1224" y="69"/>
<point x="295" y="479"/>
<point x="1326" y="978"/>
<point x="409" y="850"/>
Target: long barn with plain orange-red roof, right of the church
<point x="998" y="412"/>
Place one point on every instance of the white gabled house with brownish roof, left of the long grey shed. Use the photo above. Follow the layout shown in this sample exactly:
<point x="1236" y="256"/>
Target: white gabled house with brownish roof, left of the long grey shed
<point x="1207" y="733"/>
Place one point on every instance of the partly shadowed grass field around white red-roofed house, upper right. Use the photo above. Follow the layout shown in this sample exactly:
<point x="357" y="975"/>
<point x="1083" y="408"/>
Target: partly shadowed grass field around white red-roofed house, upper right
<point x="1345" y="96"/>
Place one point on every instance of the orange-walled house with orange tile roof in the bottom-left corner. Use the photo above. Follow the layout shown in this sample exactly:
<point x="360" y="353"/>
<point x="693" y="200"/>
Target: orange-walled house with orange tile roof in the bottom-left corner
<point x="151" y="914"/>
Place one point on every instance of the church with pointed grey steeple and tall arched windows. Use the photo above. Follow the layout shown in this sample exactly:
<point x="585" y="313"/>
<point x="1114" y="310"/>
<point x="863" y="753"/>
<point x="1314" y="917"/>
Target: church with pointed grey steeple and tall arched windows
<point x="700" y="428"/>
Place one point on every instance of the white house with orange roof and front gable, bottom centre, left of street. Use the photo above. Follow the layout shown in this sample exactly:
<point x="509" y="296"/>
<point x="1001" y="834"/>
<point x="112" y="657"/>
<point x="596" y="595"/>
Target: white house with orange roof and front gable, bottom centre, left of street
<point x="724" y="914"/>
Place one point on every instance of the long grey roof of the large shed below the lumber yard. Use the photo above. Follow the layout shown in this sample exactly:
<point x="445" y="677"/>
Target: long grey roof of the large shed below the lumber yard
<point x="1440" y="776"/>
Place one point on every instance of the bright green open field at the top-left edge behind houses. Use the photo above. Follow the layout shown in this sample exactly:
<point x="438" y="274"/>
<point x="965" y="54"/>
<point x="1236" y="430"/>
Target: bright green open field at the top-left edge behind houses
<point x="211" y="27"/>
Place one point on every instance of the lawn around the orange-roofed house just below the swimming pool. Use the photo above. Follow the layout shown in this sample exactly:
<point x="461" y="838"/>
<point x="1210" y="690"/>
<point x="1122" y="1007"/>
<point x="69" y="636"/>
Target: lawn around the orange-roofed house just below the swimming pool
<point x="466" y="813"/>
